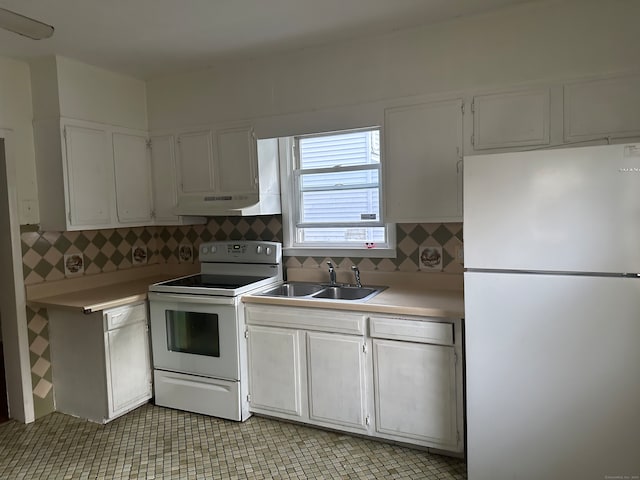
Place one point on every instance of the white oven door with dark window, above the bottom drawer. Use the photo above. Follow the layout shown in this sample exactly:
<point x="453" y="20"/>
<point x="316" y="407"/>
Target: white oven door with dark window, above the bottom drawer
<point x="195" y="334"/>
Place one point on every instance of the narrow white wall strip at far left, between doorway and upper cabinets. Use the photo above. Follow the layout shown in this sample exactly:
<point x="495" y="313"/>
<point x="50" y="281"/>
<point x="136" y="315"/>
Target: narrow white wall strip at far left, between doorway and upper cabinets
<point x="16" y="115"/>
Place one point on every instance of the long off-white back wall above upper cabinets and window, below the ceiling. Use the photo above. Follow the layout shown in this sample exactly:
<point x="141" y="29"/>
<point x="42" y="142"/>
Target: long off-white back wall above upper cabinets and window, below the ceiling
<point x="541" y="41"/>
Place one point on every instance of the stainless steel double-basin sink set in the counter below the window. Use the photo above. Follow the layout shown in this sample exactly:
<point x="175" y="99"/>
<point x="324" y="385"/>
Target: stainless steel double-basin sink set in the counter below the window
<point x="317" y="291"/>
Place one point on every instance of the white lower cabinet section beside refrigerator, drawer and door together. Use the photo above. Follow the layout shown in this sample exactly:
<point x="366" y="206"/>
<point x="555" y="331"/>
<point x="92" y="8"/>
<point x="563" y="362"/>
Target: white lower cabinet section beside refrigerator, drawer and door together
<point x="417" y="378"/>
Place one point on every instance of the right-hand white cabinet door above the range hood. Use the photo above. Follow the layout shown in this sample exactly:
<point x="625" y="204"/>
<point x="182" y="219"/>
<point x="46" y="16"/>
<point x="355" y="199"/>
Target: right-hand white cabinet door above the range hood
<point x="237" y="160"/>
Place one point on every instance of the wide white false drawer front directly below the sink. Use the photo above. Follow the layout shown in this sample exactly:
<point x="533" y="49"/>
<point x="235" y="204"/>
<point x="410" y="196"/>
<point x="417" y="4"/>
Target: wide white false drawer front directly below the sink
<point x="333" y="321"/>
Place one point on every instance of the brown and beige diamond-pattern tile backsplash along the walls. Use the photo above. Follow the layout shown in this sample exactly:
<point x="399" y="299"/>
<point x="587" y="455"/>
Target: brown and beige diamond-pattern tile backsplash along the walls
<point x="109" y="250"/>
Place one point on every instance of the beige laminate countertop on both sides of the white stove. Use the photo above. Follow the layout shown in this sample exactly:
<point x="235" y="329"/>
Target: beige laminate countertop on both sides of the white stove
<point x="421" y="294"/>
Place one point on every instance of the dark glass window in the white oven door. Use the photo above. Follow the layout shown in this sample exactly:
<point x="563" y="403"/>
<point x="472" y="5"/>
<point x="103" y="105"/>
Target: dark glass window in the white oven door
<point x="193" y="332"/>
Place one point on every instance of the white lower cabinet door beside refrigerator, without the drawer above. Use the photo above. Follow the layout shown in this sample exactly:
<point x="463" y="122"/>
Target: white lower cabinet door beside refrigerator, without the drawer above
<point x="415" y="392"/>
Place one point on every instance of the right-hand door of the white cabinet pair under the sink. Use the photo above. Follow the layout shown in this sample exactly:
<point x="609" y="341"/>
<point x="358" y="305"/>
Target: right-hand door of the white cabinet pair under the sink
<point x="337" y="379"/>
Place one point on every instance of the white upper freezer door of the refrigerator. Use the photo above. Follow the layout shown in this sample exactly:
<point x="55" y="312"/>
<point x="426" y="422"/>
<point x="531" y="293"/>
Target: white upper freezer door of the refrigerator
<point x="565" y="210"/>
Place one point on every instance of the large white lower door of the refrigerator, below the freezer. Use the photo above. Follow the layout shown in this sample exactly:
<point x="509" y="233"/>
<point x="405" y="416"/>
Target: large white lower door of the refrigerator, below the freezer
<point x="553" y="376"/>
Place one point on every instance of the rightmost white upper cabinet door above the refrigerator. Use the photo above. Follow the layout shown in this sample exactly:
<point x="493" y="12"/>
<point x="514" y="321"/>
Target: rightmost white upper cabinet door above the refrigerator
<point x="602" y="108"/>
